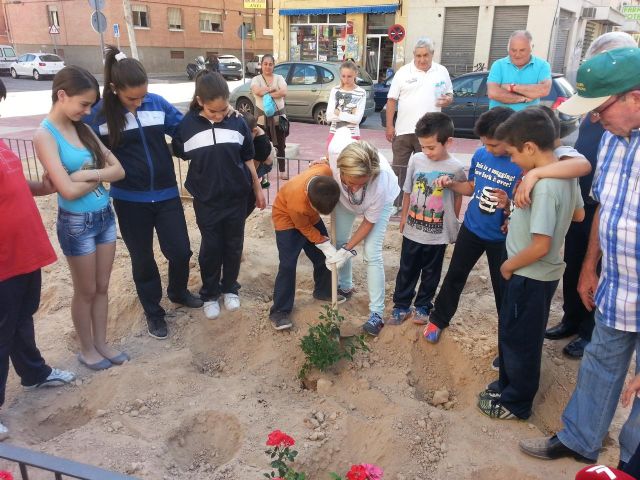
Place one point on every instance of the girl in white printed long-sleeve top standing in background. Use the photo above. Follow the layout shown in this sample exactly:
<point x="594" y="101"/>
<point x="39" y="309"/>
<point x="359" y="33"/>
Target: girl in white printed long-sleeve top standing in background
<point x="346" y="102"/>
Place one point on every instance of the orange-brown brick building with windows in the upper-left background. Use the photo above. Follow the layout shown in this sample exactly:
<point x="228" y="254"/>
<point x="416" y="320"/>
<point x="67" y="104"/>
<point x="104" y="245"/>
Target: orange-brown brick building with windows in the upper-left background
<point x="168" y="35"/>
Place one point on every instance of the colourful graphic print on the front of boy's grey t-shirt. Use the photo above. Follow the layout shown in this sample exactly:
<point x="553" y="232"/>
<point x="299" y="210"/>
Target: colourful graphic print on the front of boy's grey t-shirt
<point x="426" y="205"/>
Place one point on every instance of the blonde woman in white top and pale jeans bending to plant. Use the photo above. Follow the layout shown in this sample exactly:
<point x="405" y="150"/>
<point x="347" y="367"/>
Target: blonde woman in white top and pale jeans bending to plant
<point x="368" y="188"/>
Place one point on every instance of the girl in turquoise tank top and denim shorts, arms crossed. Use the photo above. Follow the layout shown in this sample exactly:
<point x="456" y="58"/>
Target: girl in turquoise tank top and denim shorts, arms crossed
<point x="77" y="163"/>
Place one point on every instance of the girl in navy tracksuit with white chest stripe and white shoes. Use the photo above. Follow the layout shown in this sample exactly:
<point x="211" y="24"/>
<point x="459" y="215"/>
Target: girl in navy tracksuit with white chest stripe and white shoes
<point x="221" y="178"/>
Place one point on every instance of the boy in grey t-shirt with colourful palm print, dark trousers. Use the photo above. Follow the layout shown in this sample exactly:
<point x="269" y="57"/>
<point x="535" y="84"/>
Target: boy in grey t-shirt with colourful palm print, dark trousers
<point x="429" y="220"/>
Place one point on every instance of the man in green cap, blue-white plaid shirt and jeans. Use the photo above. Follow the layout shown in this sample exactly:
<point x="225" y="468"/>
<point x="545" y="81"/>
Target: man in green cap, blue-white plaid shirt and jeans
<point x="609" y="90"/>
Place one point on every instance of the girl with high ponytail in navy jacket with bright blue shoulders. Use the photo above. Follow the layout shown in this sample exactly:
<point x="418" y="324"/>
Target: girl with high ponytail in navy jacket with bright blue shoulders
<point x="133" y="124"/>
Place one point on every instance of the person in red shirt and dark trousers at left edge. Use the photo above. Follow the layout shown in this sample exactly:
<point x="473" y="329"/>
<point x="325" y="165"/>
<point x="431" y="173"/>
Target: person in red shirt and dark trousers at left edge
<point x="24" y="250"/>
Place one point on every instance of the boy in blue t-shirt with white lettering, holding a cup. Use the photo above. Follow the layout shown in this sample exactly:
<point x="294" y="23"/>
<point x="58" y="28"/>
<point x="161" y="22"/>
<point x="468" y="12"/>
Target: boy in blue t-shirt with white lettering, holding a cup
<point x="492" y="180"/>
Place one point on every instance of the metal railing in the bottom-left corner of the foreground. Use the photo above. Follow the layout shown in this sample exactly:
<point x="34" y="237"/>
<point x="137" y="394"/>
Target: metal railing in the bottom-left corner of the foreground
<point x="60" y="467"/>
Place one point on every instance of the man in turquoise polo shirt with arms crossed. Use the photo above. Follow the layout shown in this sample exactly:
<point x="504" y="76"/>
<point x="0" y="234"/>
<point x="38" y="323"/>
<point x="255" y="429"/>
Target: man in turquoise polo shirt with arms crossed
<point x="520" y="79"/>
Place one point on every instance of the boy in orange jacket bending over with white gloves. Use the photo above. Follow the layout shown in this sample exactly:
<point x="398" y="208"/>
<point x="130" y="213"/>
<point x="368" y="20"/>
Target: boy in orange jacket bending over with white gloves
<point x="298" y="227"/>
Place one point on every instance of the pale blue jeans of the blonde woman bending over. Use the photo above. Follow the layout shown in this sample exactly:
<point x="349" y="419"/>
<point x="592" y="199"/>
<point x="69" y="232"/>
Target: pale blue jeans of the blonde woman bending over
<point x="372" y="254"/>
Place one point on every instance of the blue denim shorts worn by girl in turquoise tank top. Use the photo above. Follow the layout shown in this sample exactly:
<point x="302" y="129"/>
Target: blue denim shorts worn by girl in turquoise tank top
<point x="79" y="233"/>
